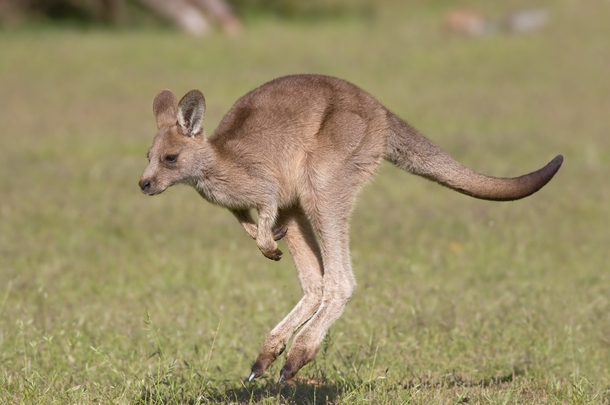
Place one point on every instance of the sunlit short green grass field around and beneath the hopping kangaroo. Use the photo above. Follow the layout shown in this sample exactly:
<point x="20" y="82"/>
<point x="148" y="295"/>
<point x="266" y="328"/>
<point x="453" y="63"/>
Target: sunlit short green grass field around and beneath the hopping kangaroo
<point x="108" y="296"/>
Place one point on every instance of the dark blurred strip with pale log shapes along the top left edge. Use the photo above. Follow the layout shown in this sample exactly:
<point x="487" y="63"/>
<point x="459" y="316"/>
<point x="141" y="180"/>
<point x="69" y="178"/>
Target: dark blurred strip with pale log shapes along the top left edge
<point x="193" y="16"/>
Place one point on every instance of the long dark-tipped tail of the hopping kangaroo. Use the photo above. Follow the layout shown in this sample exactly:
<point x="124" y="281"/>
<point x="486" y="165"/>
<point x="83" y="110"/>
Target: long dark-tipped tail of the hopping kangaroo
<point x="416" y="154"/>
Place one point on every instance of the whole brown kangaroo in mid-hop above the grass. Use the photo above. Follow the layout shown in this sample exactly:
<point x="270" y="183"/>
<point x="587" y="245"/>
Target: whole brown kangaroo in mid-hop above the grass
<point x="298" y="149"/>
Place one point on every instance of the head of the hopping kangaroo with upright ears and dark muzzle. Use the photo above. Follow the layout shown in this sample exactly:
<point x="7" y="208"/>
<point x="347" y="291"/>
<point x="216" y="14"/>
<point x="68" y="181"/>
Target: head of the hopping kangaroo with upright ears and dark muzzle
<point x="174" y="155"/>
